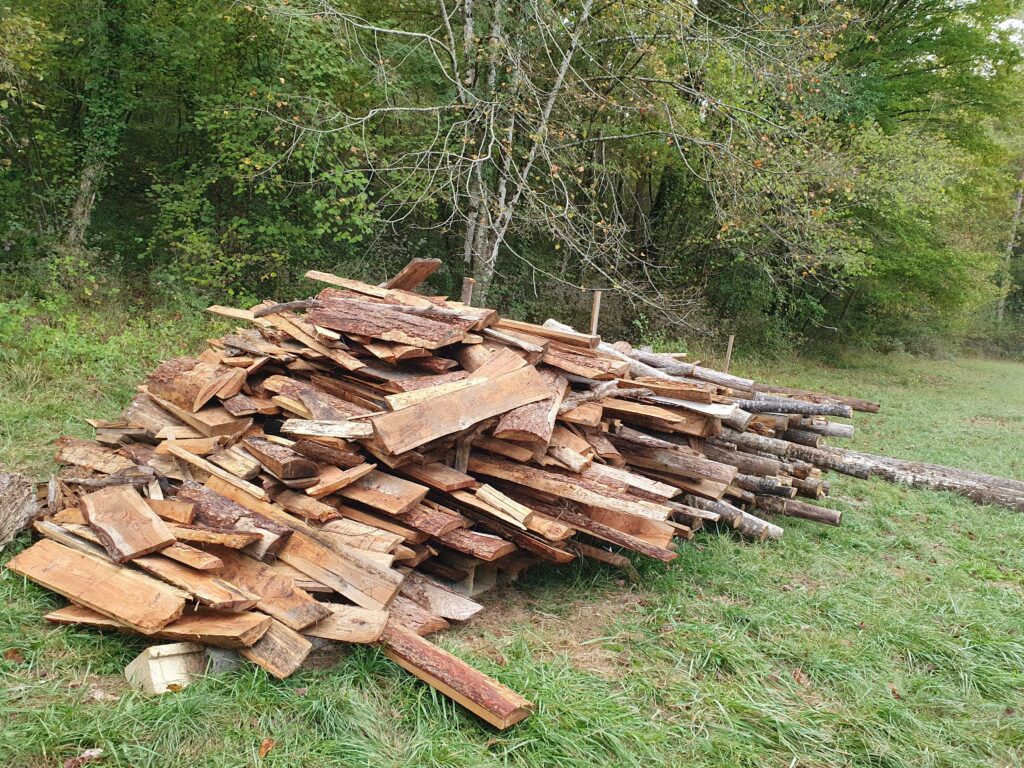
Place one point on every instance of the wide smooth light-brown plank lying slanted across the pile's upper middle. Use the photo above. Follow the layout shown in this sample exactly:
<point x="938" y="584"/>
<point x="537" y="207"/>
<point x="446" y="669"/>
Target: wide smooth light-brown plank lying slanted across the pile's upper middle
<point x="403" y="431"/>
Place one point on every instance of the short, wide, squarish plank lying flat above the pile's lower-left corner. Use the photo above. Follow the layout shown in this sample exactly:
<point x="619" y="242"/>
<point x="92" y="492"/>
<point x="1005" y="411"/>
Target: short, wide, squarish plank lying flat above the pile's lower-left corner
<point x="125" y="525"/>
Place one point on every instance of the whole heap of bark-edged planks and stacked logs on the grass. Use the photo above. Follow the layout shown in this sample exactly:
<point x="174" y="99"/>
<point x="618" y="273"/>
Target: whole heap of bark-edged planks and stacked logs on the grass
<point x="358" y="466"/>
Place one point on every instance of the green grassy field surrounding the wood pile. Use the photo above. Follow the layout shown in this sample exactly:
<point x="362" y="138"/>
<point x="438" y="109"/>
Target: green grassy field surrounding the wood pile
<point x="895" y="641"/>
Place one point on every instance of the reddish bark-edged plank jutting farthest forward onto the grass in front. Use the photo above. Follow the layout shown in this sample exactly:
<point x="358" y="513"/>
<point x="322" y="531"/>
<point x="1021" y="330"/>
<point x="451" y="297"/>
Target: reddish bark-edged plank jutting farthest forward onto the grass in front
<point x="481" y="695"/>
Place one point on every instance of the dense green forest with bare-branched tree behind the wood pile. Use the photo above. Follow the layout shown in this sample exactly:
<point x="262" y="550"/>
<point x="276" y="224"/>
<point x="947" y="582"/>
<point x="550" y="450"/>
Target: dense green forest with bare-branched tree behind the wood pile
<point x="818" y="176"/>
